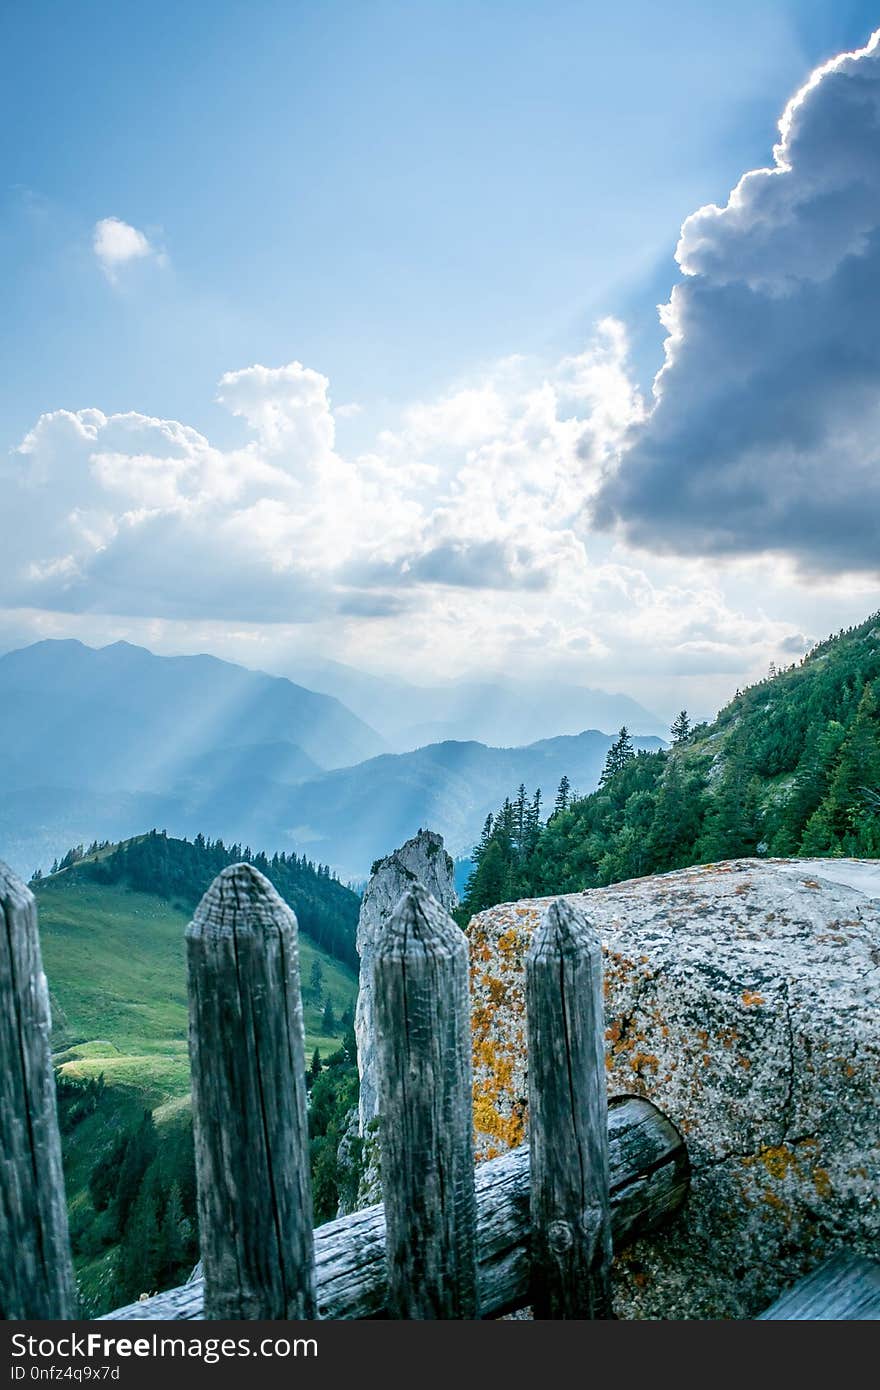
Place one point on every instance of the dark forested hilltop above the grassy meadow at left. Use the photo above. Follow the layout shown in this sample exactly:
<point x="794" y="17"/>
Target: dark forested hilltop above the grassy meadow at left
<point x="180" y="871"/>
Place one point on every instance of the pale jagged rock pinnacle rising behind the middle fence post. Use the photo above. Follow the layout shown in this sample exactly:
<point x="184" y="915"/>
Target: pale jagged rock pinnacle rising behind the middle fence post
<point x="421" y="860"/>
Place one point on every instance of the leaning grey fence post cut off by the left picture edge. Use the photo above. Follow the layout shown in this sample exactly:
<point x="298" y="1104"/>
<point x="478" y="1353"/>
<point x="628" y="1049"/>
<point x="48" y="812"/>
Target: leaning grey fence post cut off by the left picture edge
<point x="37" y="1278"/>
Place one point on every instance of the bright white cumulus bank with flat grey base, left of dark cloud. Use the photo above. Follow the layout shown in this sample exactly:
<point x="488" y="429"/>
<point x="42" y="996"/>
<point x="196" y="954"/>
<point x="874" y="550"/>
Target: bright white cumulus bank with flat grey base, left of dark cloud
<point x="480" y="490"/>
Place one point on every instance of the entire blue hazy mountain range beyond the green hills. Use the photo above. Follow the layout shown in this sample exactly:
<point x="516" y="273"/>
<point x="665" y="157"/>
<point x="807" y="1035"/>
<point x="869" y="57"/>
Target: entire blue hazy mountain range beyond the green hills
<point x="105" y="744"/>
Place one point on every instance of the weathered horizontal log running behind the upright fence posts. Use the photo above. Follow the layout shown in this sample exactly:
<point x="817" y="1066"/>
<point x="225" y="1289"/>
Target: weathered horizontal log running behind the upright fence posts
<point x="650" y="1179"/>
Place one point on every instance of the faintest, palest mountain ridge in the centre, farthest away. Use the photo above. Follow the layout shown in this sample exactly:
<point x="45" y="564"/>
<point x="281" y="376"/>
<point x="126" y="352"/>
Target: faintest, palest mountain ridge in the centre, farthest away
<point x="500" y="712"/>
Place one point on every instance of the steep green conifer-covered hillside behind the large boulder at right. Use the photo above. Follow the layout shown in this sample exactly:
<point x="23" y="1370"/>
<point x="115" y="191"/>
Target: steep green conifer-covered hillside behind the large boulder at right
<point x="790" y="767"/>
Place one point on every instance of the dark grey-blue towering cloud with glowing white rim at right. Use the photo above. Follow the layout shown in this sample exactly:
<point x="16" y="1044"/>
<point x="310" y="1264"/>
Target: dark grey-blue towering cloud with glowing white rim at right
<point x="765" y="432"/>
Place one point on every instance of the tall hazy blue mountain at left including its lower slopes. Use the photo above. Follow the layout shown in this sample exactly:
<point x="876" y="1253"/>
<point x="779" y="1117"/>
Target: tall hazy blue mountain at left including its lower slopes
<point x="95" y="742"/>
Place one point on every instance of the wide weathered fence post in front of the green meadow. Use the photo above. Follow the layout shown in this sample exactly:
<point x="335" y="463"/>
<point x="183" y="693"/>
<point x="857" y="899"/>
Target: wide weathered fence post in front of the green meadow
<point x="250" y="1102"/>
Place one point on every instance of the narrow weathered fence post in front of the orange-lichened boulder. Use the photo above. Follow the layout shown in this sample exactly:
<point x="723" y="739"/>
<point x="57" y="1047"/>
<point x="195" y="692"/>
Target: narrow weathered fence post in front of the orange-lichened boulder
<point x="568" y="1118"/>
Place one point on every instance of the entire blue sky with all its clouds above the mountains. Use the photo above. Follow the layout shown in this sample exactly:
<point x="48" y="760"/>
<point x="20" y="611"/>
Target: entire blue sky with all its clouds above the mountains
<point x="443" y="338"/>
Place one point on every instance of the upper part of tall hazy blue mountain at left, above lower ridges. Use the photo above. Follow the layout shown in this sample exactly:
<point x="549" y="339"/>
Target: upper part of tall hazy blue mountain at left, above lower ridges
<point x="126" y="719"/>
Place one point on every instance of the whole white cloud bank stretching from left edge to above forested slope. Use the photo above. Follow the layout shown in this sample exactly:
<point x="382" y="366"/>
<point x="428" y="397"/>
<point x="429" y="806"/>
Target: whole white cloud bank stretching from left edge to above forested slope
<point x="457" y="540"/>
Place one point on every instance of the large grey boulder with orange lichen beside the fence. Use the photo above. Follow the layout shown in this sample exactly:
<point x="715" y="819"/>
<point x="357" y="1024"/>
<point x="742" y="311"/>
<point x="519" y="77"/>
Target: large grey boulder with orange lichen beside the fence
<point x="744" y="1000"/>
